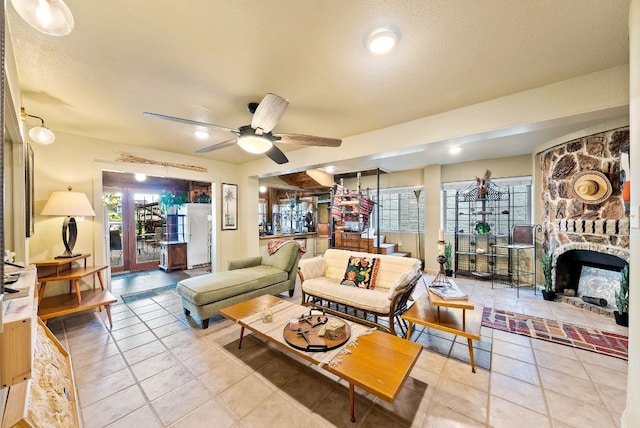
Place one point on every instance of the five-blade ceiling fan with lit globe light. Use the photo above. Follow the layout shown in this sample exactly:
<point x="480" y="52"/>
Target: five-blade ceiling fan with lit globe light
<point x="257" y="137"/>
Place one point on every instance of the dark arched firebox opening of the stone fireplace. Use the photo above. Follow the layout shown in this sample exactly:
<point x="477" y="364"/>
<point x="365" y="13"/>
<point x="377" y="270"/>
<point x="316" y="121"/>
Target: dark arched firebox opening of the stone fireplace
<point x="589" y="273"/>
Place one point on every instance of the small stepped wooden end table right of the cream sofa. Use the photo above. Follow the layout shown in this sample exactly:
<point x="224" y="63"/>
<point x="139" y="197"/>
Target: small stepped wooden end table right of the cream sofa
<point x="457" y="316"/>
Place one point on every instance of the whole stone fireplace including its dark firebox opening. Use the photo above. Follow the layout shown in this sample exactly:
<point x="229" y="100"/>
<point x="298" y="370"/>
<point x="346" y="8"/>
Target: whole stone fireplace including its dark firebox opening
<point x="589" y="242"/>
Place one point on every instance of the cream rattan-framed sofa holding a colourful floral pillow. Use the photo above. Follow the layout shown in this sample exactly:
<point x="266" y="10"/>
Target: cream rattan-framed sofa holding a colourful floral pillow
<point x="397" y="277"/>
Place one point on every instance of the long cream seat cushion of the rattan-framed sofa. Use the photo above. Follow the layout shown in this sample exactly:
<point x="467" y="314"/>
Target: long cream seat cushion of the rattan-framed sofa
<point x="368" y="300"/>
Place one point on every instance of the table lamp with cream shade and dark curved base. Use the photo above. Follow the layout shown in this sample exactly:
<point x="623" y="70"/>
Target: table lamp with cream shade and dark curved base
<point x="68" y="204"/>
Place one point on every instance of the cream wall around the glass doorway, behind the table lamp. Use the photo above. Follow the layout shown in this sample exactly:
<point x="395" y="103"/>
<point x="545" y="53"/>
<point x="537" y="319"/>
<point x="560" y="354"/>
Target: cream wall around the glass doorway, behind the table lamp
<point x="78" y="162"/>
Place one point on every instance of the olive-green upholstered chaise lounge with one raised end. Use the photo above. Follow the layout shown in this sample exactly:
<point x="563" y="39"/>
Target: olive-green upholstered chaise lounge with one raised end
<point x="244" y="279"/>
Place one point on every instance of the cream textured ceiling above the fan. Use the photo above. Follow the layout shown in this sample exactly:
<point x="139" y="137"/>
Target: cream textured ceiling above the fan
<point x="205" y="60"/>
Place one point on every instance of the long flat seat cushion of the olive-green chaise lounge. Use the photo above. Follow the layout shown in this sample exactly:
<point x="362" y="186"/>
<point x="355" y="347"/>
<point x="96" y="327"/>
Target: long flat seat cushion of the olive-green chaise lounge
<point x="204" y="289"/>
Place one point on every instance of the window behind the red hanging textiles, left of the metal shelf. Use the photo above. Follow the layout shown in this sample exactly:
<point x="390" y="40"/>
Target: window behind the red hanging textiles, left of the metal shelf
<point x="400" y="210"/>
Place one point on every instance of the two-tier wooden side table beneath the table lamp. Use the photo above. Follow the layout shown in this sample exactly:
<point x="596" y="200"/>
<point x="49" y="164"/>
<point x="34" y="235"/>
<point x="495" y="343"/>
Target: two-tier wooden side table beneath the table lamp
<point x="64" y="269"/>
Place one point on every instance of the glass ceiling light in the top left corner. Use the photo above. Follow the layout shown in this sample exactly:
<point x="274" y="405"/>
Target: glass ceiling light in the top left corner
<point x="51" y="17"/>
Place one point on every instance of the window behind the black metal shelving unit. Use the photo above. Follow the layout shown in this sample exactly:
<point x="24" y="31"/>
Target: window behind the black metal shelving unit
<point x="521" y="210"/>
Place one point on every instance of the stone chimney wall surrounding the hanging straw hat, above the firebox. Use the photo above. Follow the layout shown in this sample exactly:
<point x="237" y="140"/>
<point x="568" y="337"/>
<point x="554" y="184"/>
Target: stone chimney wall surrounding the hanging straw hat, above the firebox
<point x="570" y="224"/>
